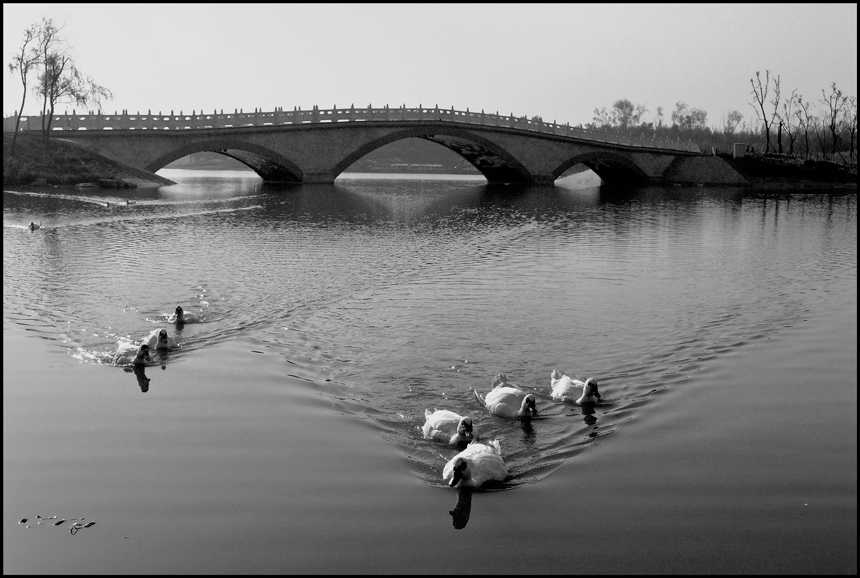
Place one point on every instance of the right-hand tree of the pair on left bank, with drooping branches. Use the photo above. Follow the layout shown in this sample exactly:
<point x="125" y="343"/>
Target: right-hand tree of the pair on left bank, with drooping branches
<point x="60" y="79"/>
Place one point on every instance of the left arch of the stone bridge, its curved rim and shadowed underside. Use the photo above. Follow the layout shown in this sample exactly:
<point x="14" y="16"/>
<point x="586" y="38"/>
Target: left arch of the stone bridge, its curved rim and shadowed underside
<point x="267" y="163"/>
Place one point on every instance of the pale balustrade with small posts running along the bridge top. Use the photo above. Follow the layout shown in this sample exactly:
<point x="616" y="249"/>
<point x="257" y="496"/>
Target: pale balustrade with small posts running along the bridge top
<point x="297" y="116"/>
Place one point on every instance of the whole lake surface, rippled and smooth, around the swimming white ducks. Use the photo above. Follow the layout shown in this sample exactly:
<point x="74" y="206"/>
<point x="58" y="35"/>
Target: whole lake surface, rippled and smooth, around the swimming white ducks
<point x="283" y="435"/>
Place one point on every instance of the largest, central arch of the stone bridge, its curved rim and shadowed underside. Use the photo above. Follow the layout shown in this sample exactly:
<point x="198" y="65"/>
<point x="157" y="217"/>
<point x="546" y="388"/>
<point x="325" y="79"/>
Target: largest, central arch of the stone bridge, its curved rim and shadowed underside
<point x="494" y="162"/>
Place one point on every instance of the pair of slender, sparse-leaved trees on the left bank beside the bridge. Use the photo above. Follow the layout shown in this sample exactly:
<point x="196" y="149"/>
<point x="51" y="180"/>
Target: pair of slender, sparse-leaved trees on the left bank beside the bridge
<point x="43" y="52"/>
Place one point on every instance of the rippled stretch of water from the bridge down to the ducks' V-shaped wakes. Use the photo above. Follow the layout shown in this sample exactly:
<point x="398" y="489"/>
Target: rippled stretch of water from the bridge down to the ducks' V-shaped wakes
<point x="387" y="299"/>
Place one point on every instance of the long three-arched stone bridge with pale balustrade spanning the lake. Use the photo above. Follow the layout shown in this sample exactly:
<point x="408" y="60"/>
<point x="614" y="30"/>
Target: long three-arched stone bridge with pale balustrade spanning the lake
<point x="315" y="146"/>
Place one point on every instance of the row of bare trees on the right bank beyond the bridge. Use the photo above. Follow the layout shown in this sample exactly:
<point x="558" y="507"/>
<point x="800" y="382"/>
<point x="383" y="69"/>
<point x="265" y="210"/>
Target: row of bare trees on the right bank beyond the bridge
<point x="790" y="126"/>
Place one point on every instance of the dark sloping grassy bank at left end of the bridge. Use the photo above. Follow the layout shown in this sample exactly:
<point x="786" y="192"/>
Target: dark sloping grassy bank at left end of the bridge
<point x="62" y="163"/>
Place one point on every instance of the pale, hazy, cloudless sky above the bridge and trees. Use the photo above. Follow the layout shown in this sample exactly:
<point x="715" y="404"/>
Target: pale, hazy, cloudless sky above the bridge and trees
<point x="554" y="60"/>
